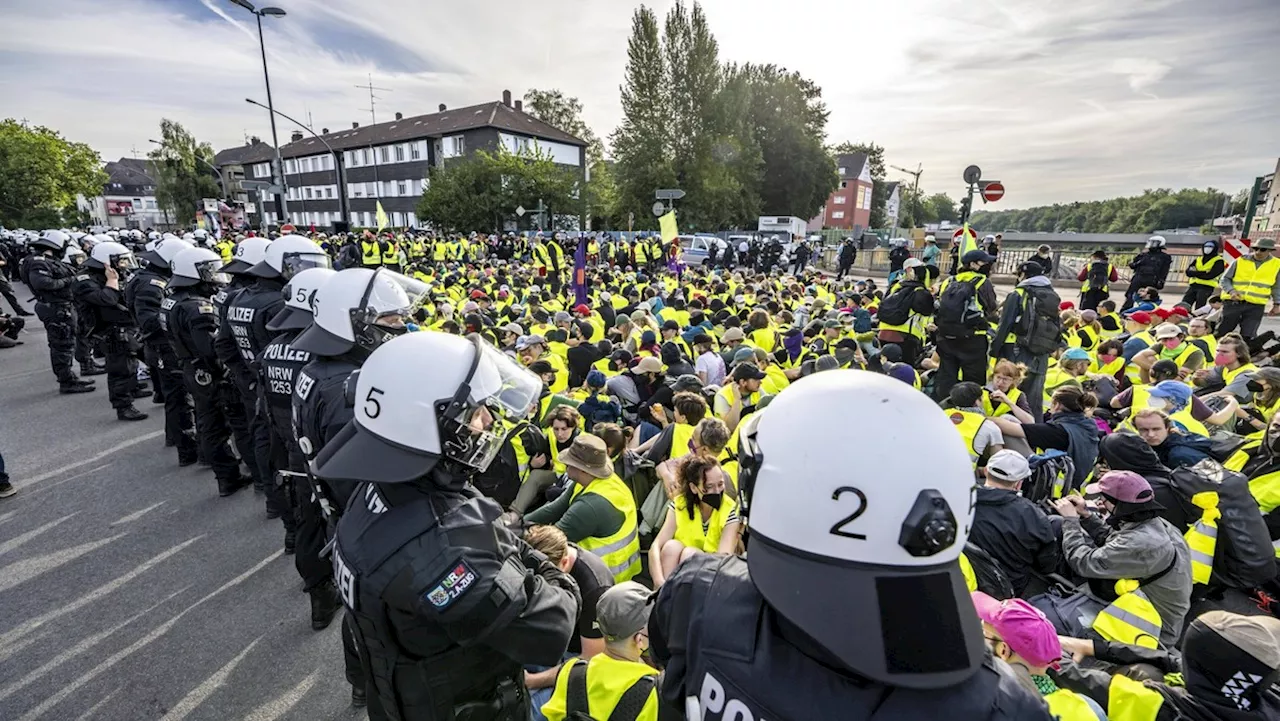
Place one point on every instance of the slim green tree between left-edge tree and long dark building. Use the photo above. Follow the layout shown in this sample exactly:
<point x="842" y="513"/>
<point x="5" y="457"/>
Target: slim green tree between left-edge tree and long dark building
<point x="184" y="172"/>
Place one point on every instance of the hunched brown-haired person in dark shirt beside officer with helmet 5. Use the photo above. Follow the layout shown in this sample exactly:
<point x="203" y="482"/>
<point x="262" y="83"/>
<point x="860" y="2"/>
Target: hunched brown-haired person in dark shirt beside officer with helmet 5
<point x="593" y="579"/>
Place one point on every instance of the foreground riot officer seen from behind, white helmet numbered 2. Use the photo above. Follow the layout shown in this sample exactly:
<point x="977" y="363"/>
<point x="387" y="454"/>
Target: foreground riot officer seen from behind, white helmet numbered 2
<point x="851" y="603"/>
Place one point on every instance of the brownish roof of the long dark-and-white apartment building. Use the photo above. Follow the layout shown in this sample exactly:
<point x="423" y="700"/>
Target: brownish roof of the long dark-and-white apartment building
<point x="435" y="125"/>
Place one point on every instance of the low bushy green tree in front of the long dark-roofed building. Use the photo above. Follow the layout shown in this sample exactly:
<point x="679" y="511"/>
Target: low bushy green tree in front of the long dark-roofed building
<point x="483" y="191"/>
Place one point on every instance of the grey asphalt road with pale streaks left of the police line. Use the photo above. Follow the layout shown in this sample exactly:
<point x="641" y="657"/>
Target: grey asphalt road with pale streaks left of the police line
<point x="129" y="590"/>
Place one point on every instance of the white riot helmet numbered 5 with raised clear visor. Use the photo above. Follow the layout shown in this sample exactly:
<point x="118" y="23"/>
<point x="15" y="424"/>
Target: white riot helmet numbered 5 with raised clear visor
<point x="406" y="422"/>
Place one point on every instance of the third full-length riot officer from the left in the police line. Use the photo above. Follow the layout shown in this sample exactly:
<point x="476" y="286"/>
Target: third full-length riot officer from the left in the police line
<point x="145" y="295"/>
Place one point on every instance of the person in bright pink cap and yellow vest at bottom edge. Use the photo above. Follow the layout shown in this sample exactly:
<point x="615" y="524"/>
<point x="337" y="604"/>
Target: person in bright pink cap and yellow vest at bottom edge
<point x="1021" y="636"/>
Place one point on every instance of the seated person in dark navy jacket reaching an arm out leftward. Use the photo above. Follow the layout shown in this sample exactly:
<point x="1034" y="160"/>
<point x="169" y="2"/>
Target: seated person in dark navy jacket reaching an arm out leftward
<point x="1068" y="427"/>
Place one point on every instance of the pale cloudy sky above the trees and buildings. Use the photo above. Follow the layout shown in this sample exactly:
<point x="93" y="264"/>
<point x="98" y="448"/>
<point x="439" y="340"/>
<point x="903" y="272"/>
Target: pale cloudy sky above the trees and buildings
<point x="1062" y="101"/>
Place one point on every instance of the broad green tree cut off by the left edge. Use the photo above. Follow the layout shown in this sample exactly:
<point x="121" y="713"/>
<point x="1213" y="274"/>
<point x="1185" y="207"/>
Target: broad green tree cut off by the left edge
<point x="42" y="174"/>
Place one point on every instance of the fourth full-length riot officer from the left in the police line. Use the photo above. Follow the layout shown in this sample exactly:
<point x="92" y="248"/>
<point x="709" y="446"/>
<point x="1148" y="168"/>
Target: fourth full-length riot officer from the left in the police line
<point x="191" y="323"/>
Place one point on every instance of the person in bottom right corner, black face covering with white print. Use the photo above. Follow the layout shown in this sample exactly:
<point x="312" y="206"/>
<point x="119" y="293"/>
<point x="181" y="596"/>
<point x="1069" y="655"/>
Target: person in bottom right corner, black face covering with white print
<point x="1223" y="652"/>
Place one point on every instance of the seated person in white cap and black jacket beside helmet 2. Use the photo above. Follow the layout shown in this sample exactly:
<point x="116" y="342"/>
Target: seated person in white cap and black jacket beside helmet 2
<point x="1009" y="527"/>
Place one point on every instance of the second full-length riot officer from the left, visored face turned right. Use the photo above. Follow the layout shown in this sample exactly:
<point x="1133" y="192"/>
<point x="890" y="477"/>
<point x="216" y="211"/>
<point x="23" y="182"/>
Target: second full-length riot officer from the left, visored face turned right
<point x="98" y="291"/>
